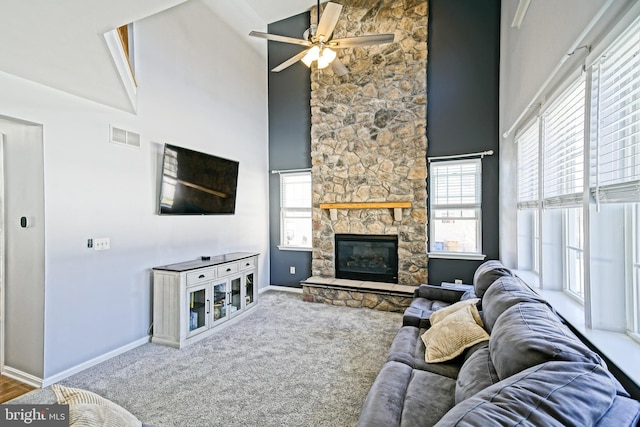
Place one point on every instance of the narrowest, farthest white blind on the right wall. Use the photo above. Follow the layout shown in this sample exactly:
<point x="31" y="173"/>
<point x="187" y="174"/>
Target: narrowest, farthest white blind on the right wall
<point x="528" y="162"/>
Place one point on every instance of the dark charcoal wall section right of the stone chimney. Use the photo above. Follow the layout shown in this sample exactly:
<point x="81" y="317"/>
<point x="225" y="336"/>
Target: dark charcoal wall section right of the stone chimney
<point x="462" y="113"/>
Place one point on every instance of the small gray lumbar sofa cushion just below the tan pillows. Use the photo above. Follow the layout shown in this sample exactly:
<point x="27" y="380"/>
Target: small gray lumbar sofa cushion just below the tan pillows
<point x="476" y="373"/>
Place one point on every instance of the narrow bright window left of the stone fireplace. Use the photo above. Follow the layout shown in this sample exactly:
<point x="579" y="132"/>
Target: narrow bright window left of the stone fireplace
<point x="295" y="210"/>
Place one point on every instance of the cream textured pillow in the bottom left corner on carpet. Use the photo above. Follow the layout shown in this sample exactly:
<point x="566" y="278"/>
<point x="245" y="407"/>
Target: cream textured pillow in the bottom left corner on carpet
<point x="88" y="409"/>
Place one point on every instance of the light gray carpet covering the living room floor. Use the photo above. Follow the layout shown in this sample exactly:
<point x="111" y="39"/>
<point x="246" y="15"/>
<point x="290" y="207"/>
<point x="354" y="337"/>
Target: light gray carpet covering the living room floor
<point x="284" y="363"/>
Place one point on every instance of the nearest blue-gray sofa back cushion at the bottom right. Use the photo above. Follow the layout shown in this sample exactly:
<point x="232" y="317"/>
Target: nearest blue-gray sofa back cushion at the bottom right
<point x="550" y="394"/>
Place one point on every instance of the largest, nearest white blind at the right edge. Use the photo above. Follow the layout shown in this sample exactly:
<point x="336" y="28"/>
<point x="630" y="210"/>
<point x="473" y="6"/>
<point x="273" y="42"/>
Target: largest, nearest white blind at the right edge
<point x="615" y="158"/>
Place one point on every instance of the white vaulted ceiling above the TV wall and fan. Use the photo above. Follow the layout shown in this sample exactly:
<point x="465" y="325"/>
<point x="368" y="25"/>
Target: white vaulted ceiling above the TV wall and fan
<point x="60" y="43"/>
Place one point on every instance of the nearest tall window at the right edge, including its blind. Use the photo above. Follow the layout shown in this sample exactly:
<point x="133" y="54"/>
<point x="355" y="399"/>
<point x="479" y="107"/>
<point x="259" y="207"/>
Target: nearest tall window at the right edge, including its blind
<point x="615" y="152"/>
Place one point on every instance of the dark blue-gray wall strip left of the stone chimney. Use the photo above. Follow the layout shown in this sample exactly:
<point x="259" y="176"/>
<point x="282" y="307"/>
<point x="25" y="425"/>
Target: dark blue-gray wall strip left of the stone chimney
<point x="289" y="140"/>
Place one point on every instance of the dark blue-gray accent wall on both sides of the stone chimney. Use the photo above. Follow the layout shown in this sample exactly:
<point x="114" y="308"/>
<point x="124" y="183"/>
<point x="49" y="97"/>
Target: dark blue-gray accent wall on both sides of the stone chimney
<point x="462" y="117"/>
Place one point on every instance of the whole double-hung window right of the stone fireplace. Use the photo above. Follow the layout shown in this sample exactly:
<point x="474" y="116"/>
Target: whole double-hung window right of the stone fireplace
<point x="455" y="201"/>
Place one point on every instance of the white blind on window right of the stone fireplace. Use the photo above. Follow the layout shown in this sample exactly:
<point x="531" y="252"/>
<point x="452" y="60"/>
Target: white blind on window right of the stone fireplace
<point x="456" y="184"/>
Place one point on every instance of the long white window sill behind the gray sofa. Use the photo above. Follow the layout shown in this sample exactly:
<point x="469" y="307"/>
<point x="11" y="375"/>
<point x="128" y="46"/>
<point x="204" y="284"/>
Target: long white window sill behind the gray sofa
<point x="619" y="347"/>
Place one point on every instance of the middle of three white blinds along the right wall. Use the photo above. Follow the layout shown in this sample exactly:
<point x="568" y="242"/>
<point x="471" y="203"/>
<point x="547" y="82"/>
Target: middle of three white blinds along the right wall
<point x="563" y="148"/>
